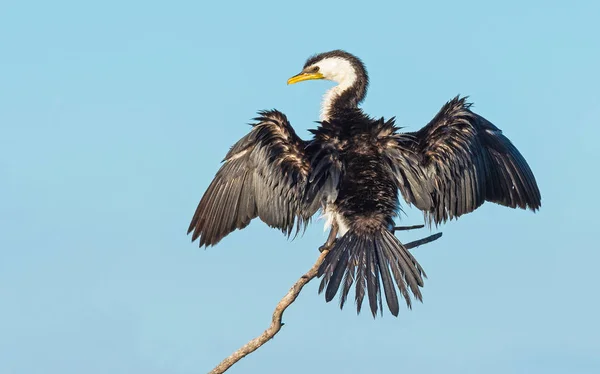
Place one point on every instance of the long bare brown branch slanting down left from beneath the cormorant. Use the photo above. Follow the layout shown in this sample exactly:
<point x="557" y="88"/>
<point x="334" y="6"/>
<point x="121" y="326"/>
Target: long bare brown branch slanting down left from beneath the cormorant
<point x="276" y="324"/>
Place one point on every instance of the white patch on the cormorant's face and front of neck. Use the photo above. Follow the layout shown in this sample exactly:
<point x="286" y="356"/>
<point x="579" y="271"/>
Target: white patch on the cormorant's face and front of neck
<point x="338" y="70"/>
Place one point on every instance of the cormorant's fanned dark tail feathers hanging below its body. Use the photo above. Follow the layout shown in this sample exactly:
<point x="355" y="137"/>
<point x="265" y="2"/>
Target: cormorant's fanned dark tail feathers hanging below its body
<point x="361" y="259"/>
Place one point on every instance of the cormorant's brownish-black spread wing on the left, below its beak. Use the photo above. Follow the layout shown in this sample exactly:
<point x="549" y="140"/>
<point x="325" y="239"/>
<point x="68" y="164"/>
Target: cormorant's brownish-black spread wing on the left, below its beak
<point x="263" y="175"/>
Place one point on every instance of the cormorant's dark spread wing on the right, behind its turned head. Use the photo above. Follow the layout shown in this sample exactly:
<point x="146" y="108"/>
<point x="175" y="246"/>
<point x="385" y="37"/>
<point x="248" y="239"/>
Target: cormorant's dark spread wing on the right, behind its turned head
<point x="457" y="162"/>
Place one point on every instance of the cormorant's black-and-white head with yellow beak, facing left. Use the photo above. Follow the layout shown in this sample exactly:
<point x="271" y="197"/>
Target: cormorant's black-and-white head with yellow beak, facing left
<point x="338" y="66"/>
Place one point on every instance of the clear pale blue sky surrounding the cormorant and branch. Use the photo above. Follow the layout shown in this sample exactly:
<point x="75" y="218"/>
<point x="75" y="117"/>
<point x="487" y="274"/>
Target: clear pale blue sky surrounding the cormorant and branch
<point x="114" y="117"/>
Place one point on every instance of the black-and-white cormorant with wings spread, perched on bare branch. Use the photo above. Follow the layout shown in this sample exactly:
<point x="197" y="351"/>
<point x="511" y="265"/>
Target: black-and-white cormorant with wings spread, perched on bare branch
<point x="354" y="170"/>
